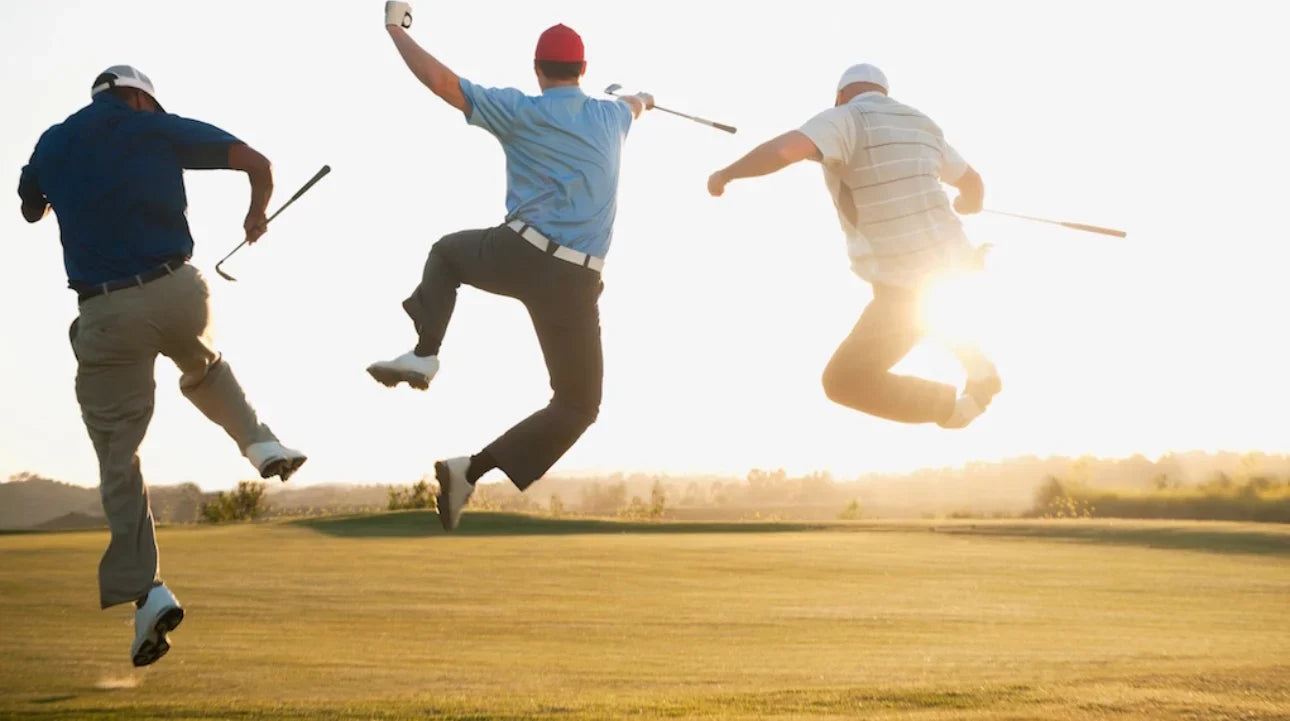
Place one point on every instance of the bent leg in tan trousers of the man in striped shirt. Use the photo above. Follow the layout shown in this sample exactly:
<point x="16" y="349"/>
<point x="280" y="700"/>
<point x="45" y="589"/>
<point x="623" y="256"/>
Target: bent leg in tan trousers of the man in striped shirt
<point x="860" y="377"/>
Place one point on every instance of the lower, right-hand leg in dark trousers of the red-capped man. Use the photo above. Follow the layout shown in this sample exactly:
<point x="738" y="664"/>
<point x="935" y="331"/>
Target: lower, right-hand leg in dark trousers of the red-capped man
<point x="567" y="319"/>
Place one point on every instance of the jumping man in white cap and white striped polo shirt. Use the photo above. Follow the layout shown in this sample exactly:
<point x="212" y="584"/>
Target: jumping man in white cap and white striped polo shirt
<point x="884" y="164"/>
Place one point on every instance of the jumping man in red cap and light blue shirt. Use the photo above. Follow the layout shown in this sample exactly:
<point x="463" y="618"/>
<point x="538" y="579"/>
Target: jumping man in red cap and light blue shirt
<point x="562" y="159"/>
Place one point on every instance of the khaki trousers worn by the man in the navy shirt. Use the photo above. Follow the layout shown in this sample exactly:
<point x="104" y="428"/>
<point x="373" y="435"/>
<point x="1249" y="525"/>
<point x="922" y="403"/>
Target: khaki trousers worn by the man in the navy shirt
<point x="117" y="341"/>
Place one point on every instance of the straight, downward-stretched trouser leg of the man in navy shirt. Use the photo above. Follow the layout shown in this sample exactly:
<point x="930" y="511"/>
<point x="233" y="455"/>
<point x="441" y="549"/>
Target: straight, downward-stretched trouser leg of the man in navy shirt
<point x="115" y="390"/>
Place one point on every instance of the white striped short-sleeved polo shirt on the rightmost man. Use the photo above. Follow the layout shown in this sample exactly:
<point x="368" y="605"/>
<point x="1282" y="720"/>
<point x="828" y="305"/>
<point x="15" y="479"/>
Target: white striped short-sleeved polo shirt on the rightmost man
<point x="884" y="163"/>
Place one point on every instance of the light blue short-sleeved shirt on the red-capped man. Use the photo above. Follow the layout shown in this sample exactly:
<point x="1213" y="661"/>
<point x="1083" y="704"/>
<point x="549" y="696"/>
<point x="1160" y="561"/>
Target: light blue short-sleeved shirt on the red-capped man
<point x="563" y="153"/>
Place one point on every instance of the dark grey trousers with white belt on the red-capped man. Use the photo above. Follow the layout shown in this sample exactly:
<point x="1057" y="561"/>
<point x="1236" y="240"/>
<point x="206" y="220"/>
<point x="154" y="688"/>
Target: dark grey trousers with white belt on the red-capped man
<point x="562" y="300"/>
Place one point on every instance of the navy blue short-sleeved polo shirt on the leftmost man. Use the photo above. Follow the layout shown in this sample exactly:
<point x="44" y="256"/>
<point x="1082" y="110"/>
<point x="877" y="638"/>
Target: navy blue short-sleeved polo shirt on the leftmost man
<point x="114" y="177"/>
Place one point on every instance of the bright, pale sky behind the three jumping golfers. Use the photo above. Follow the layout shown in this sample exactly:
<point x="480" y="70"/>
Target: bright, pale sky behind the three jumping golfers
<point x="719" y="314"/>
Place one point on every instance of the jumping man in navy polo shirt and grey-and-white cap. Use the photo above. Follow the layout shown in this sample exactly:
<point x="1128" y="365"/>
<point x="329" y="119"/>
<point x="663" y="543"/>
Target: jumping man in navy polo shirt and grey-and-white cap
<point x="114" y="175"/>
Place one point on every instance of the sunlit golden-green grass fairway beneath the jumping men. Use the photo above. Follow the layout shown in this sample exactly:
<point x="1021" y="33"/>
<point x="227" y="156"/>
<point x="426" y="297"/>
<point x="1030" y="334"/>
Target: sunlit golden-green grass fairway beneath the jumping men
<point x="385" y="617"/>
